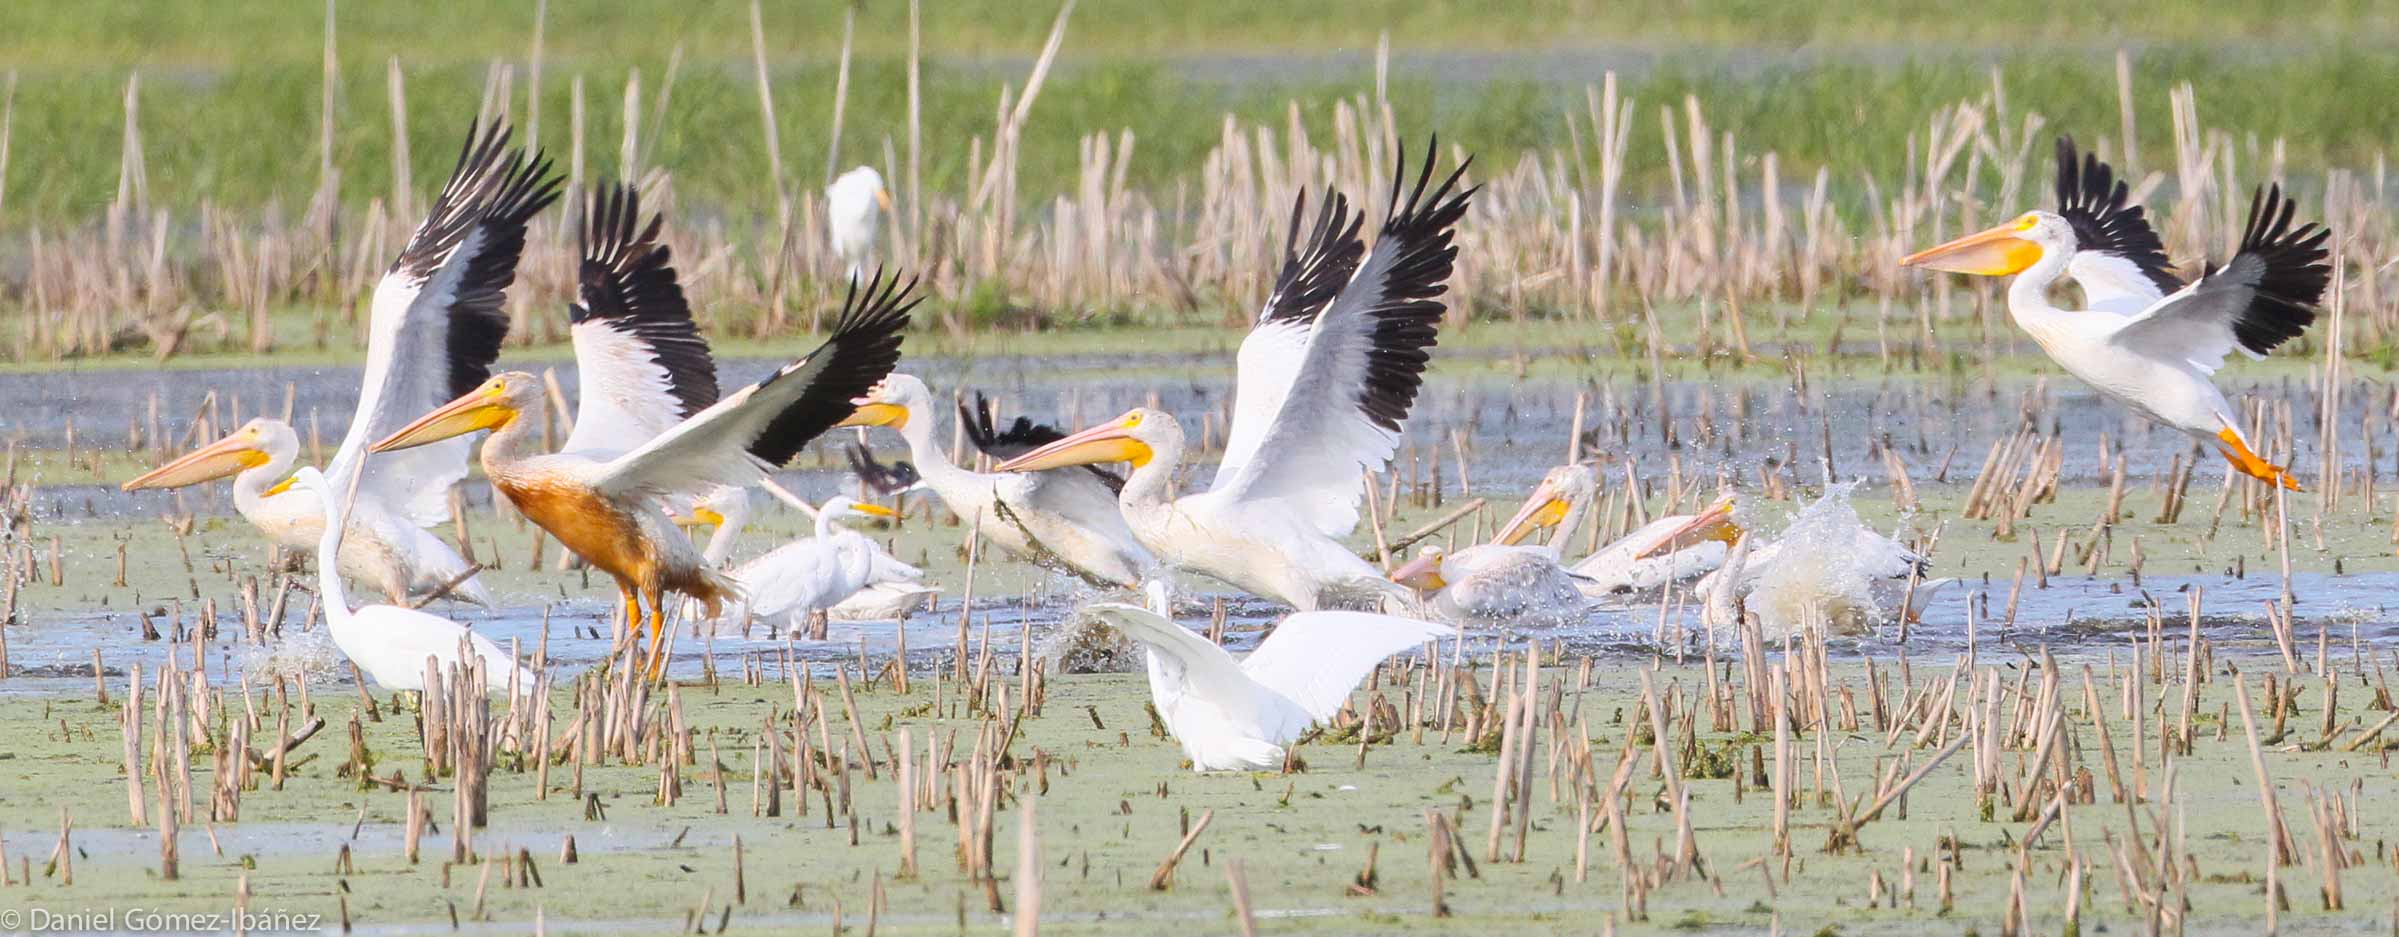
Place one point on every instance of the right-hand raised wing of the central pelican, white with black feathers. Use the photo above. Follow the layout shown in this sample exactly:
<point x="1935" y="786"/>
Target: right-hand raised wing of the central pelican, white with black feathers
<point x="1359" y="370"/>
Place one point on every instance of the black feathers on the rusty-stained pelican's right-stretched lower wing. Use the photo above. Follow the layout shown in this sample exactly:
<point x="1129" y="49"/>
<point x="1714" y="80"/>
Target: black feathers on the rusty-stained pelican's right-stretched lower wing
<point x="860" y="353"/>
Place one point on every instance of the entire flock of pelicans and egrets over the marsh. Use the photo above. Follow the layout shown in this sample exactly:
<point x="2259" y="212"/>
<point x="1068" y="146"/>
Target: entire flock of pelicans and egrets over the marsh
<point x="1323" y="387"/>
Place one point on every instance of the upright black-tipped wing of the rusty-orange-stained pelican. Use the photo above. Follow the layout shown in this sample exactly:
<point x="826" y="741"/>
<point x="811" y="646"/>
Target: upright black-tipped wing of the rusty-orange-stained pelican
<point x="642" y="361"/>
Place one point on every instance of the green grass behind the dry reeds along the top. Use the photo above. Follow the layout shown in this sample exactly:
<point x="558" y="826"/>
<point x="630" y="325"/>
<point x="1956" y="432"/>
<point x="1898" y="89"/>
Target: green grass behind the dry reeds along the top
<point x="232" y="92"/>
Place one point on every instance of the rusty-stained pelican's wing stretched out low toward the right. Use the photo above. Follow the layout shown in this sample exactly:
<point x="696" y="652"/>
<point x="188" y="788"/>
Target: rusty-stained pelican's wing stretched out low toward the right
<point x="764" y="425"/>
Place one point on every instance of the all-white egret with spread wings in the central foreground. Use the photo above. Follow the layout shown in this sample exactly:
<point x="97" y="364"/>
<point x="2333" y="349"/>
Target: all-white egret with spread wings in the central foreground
<point x="1239" y="715"/>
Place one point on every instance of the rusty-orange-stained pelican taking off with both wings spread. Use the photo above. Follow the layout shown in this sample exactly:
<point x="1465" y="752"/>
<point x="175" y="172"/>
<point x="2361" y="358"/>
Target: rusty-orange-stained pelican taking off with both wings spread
<point x="603" y="495"/>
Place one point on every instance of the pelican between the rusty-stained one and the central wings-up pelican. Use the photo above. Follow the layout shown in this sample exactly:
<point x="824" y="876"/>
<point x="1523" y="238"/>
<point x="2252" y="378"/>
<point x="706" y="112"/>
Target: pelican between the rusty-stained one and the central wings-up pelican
<point x="1064" y="519"/>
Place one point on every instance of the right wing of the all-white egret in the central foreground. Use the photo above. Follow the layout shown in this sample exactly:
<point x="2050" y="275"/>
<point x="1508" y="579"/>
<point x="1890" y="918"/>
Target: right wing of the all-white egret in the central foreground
<point x="1318" y="658"/>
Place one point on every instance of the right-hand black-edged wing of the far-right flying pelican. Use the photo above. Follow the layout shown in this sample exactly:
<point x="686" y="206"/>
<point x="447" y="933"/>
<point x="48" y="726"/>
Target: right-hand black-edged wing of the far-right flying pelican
<point x="2263" y="298"/>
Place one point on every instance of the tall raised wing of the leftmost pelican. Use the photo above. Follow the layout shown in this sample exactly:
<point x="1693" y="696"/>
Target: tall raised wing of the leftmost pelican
<point x="438" y="322"/>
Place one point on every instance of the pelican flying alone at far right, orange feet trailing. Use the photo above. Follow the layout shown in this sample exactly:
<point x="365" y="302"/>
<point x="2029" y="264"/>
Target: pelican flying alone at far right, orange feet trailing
<point x="2151" y="341"/>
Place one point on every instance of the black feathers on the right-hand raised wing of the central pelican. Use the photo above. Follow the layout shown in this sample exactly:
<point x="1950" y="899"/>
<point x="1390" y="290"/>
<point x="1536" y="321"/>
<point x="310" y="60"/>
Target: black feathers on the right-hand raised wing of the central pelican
<point x="1414" y="255"/>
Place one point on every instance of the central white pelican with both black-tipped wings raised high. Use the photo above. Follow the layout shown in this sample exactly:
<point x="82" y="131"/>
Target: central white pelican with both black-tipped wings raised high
<point x="1323" y="389"/>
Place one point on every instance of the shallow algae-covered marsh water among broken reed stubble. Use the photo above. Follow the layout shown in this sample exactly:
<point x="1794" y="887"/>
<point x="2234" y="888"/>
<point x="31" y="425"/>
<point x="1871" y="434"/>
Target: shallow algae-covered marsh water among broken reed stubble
<point x="1304" y="838"/>
